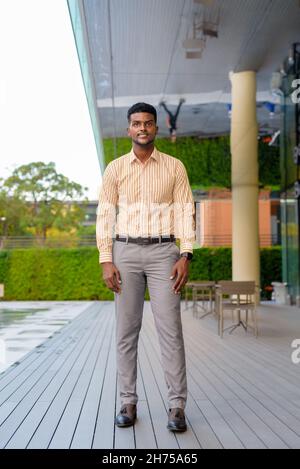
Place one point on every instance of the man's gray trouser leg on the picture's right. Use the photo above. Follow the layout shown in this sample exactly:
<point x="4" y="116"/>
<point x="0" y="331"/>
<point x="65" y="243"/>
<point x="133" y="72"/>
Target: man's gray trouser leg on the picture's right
<point x="165" y="306"/>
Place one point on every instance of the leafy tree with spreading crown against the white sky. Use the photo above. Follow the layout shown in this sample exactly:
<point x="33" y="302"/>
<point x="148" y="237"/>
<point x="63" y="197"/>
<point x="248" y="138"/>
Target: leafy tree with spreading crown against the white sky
<point x="49" y="197"/>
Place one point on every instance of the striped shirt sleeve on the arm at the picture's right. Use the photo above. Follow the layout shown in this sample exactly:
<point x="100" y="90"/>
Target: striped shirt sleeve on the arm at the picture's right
<point x="184" y="210"/>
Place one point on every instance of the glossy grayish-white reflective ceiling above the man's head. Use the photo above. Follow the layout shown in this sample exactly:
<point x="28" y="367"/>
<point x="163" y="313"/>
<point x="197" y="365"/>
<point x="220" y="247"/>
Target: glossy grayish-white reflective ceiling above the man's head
<point x="137" y="55"/>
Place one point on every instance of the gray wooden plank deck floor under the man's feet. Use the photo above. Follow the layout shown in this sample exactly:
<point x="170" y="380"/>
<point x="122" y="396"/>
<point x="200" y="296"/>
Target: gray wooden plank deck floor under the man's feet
<point x="243" y="392"/>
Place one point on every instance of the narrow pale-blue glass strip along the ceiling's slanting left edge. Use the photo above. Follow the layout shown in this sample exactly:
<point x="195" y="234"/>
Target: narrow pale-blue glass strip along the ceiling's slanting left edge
<point x="76" y="15"/>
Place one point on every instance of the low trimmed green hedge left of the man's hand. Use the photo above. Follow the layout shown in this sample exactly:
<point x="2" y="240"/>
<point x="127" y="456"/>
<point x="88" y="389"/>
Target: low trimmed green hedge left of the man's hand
<point x="53" y="274"/>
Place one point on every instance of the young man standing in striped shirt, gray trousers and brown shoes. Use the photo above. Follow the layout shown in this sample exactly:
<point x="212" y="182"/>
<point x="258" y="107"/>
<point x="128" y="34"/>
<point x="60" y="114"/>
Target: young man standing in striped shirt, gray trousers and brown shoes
<point x="151" y="192"/>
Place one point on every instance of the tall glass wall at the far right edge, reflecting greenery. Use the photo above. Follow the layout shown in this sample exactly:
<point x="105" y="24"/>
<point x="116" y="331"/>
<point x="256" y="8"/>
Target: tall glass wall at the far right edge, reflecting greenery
<point x="290" y="201"/>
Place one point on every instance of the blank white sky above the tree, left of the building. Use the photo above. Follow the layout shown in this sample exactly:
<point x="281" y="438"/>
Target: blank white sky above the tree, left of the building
<point x="43" y="110"/>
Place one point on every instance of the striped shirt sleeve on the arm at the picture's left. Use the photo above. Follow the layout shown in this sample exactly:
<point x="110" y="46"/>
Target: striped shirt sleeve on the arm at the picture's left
<point x="106" y="214"/>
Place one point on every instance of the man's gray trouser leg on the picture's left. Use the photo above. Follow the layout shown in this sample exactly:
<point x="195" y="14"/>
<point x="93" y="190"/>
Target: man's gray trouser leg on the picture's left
<point x="129" y="312"/>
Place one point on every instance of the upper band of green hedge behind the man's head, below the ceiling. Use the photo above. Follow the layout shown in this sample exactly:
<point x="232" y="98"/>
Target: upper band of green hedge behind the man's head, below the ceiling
<point x="208" y="161"/>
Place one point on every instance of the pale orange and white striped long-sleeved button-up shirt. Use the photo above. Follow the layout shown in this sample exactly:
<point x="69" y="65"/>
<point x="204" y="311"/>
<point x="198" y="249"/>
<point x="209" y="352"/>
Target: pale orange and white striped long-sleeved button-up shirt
<point x="145" y="199"/>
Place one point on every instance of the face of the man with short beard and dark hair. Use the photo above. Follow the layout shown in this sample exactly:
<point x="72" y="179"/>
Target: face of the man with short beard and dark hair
<point x="142" y="128"/>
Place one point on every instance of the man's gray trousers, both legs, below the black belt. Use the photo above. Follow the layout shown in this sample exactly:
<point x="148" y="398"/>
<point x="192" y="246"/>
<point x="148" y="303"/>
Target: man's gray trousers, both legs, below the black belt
<point x="151" y="265"/>
